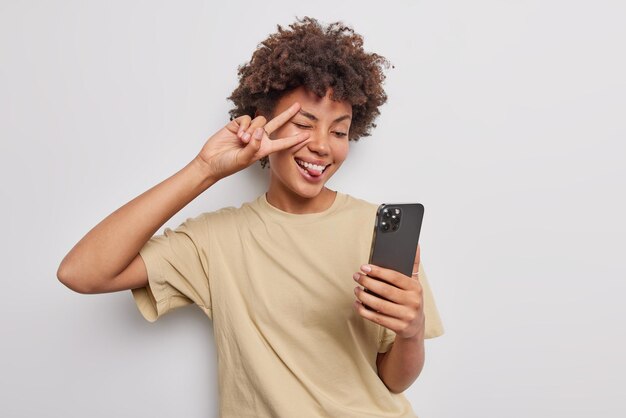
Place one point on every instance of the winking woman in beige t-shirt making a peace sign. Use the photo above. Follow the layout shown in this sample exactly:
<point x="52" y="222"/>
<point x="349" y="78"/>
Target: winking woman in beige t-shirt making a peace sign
<point x="292" y="335"/>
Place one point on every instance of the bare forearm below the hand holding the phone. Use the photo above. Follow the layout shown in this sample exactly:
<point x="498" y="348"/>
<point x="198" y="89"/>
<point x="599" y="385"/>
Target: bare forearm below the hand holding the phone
<point x="403" y="363"/>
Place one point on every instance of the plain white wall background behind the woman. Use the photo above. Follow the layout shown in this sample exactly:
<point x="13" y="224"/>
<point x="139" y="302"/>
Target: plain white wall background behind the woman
<point x="506" y="119"/>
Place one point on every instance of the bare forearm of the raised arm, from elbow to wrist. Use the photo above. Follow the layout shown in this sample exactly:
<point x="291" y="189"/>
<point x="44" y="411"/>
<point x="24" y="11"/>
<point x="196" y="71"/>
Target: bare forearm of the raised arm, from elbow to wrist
<point x="111" y="245"/>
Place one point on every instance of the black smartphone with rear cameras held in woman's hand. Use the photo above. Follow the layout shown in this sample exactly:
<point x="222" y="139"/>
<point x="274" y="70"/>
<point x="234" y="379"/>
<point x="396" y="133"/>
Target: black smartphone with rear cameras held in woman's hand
<point x="396" y="235"/>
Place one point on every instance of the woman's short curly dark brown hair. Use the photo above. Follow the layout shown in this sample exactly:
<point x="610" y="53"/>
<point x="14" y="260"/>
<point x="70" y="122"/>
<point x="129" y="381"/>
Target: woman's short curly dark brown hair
<point x="317" y="58"/>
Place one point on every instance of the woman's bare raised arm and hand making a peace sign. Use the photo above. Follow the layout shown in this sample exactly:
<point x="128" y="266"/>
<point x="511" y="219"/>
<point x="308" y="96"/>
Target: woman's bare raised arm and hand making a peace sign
<point x="107" y="258"/>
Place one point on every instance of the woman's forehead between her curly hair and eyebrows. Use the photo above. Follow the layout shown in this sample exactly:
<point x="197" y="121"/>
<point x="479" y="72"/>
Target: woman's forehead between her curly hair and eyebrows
<point x="321" y="107"/>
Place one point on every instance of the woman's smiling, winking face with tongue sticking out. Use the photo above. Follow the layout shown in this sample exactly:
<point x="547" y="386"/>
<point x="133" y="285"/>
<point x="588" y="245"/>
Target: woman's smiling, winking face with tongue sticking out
<point x="304" y="169"/>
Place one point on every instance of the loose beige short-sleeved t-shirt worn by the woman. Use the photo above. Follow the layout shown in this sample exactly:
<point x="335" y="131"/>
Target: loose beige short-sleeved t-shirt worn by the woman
<point x="279" y="289"/>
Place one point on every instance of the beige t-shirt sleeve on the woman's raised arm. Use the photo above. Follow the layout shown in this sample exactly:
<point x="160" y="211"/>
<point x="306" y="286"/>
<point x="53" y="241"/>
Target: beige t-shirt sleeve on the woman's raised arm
<point x="177" y="270"/>
